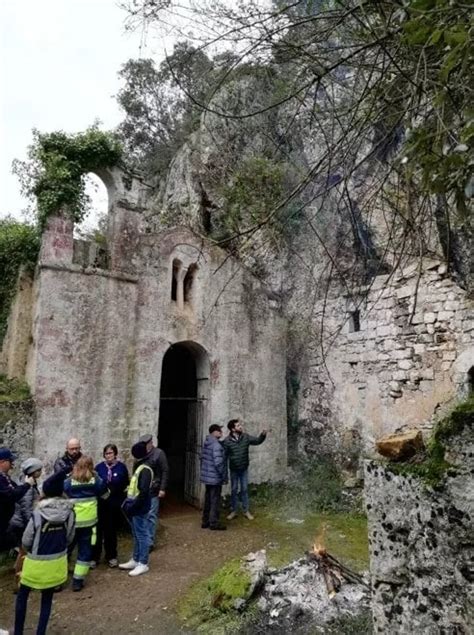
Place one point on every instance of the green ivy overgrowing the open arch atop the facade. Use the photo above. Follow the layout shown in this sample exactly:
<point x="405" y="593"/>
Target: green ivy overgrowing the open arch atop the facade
<point x="56" y="168"/>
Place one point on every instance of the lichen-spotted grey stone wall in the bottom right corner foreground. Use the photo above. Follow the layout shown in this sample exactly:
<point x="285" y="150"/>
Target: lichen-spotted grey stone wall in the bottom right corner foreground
<point x="422" y="547"/>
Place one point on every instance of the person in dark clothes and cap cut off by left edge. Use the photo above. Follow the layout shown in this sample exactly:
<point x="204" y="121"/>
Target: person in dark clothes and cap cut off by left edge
<point x="10" y="494"/>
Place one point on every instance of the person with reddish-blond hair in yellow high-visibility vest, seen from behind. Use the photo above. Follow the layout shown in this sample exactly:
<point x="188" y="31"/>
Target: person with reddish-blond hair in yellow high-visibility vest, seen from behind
<point x="83" y="487"/>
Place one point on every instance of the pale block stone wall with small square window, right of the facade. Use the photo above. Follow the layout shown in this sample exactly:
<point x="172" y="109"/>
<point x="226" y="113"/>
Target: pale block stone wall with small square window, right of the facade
<point x="395" y="363"/>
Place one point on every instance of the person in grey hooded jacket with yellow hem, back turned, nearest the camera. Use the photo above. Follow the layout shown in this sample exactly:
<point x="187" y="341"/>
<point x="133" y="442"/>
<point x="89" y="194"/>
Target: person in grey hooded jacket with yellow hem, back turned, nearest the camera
<point x="47" y="535"/>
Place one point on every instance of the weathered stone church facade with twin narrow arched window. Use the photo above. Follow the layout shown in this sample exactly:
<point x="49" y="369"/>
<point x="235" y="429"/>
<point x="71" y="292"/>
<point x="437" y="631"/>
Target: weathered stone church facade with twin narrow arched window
<point x="100" y="337"/>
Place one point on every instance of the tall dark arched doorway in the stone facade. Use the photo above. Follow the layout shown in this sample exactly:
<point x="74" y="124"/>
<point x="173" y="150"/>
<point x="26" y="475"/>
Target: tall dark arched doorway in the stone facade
<point x="183" y="416"/>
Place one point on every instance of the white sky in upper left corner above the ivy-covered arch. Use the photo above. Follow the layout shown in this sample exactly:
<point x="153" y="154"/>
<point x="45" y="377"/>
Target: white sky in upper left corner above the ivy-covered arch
<point x="58" y="71"/>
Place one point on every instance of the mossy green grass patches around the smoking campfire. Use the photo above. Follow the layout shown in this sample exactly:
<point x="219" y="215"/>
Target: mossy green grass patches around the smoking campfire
<point x="345" y="538"/>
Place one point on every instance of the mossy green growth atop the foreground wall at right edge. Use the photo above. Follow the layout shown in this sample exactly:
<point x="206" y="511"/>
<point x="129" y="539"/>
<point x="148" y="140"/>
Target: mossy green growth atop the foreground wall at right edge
<point x="433" y="466"/>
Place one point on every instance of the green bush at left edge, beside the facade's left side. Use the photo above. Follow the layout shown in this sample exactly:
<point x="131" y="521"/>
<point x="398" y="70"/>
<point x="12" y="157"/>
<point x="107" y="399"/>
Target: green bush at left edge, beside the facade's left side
<point x="19" y="246"/>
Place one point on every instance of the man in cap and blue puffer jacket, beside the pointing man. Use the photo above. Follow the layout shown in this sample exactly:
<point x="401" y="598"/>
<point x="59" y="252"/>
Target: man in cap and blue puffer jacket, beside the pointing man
<point x="213" y="475"/>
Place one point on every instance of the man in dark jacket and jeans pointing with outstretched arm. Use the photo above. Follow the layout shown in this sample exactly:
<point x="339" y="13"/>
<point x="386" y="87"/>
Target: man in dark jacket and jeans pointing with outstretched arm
<point x="236" y="445"/>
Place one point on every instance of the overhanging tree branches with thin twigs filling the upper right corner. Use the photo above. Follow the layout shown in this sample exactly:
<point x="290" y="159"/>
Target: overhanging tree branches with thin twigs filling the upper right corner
<point x="383" y="87"/>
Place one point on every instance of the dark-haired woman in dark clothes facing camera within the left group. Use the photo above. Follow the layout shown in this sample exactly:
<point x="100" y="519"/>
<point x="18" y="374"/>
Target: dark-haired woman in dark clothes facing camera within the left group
<point x="114" y="473"/>
